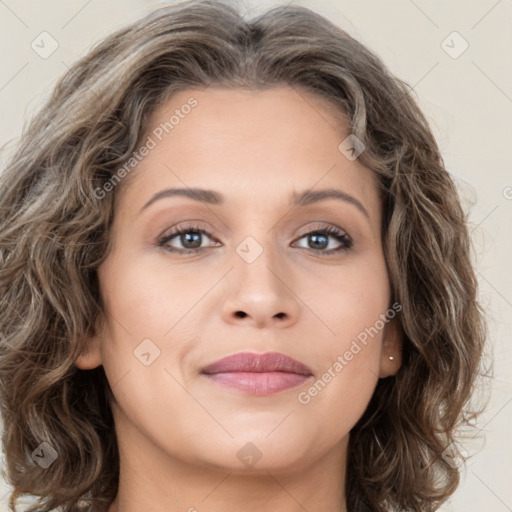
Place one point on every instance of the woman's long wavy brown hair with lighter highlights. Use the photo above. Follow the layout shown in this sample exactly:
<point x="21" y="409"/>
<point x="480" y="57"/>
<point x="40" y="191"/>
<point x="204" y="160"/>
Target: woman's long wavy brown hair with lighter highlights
<point x="55" y="232"/>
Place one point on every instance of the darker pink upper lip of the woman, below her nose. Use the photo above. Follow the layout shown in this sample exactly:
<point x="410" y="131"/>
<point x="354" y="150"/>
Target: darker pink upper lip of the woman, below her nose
<point x="257" y="363"/>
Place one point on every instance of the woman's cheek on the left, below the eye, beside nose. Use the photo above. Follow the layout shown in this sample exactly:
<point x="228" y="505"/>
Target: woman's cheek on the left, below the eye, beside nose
<point x="152" y="323"/>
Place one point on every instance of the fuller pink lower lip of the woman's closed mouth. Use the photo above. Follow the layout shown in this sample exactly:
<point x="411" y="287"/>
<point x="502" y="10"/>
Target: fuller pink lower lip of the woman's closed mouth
<point x="259" y="383"/>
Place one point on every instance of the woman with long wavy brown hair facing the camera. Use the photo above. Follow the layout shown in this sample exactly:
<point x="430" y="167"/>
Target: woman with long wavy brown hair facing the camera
<point x="235" y="274"/>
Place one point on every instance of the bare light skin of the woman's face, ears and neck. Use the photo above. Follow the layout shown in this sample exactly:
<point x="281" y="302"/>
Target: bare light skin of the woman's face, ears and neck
<point x="178" y="432"/>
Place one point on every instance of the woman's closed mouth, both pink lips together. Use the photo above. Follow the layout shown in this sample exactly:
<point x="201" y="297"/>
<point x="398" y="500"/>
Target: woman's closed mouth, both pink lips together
<point x="258" y="374"/>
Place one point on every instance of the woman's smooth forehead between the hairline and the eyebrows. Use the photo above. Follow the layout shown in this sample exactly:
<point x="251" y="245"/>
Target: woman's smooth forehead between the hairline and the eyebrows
<point x="254" y="145"/>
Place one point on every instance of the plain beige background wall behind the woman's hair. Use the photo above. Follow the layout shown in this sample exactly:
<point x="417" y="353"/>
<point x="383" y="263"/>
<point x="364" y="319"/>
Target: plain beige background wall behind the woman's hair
<point x="468" y="101"/>
